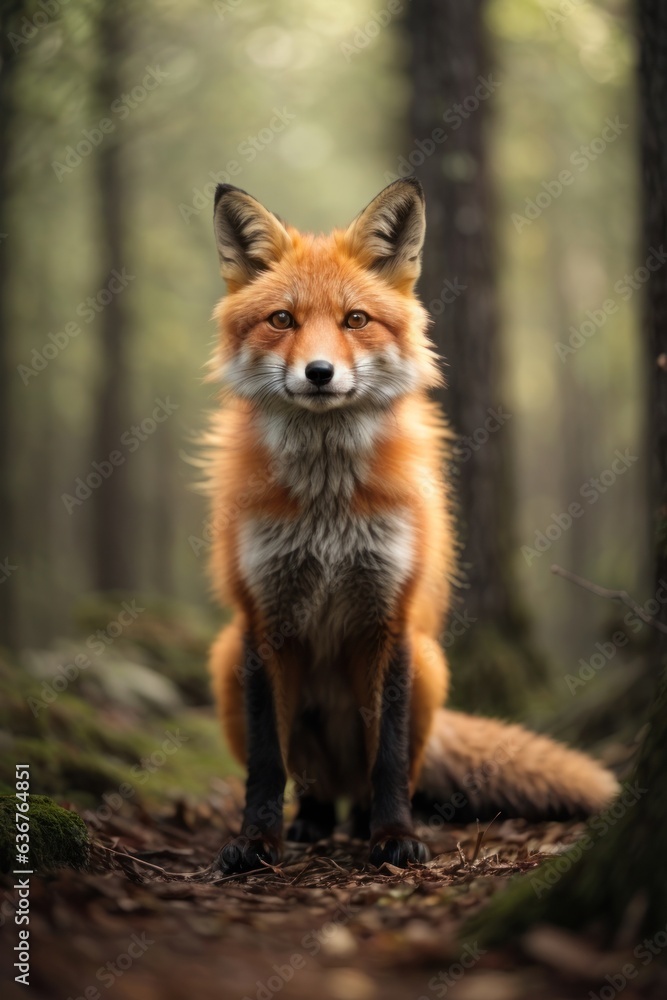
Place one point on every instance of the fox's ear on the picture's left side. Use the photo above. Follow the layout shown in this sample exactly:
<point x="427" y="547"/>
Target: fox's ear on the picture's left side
<point x="249" y="238"/>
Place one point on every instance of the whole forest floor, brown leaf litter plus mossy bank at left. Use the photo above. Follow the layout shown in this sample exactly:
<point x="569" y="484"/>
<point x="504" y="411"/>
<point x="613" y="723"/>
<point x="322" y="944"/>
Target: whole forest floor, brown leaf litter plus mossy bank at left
<point x="151" y="920"/>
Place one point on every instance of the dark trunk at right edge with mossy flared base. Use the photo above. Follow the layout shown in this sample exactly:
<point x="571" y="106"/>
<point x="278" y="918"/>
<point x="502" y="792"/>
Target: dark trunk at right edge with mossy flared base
<point x="617" y="876"/>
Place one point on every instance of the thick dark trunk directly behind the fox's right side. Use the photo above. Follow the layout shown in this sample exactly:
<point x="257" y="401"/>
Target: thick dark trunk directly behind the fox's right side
<point x="452" y="85"/>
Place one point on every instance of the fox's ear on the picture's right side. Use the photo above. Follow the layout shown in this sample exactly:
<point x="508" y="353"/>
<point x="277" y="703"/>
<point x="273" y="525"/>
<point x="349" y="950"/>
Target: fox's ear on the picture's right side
<point x="388" y="235"/>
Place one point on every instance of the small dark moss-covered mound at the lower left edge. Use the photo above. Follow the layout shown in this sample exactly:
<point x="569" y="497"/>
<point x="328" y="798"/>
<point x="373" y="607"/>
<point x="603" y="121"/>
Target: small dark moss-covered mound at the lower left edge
<point x="58" y="838"/>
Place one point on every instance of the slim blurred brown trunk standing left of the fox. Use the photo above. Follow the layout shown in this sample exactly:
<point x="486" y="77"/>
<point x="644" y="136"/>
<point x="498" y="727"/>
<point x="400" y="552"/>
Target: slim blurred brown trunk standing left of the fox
<point x="112" y="501"/>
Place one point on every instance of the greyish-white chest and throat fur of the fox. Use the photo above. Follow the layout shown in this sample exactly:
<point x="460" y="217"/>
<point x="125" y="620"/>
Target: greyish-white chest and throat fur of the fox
<point x="327" y="571"/>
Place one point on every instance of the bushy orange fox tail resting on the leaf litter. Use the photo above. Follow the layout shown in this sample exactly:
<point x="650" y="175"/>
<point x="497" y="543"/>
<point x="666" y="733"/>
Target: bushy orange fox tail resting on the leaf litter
<point x="476" y="767"/>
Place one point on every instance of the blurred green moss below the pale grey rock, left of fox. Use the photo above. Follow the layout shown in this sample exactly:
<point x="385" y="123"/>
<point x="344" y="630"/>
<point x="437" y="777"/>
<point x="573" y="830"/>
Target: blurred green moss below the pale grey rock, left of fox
<point x="80" y="750"/>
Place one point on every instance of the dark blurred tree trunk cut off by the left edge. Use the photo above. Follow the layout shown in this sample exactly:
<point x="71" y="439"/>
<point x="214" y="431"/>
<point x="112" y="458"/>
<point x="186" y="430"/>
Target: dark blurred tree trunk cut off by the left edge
<point x="10" y="37"/>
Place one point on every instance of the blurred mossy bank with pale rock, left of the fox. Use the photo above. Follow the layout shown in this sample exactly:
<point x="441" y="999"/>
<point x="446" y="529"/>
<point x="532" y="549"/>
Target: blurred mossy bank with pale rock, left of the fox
<point x="86" y="733"/>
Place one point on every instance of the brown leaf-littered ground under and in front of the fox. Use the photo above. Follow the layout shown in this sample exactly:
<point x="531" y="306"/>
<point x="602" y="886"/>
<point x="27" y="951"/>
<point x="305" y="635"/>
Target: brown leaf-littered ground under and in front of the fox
<point x="152" y="920"/>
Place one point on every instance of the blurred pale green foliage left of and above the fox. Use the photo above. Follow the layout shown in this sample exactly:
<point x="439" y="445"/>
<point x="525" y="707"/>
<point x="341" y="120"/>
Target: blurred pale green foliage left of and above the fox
<point x="228" y="68"/>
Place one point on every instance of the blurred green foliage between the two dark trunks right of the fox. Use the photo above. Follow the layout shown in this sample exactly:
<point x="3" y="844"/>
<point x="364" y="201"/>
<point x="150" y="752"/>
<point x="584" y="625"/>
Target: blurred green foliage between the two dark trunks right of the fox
<point x="563" y="69"/>
